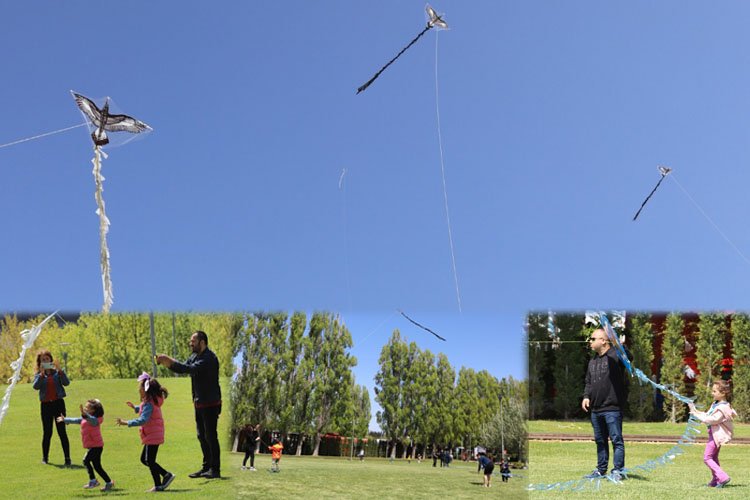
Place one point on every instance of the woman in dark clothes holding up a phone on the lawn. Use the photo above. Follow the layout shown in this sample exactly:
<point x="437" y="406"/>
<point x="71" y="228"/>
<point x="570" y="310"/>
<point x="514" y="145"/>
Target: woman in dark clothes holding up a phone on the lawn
<point x="49" y="381"/>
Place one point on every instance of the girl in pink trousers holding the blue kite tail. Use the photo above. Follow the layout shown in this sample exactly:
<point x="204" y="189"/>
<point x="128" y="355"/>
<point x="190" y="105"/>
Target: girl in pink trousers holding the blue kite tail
<point x="720" y="429"/>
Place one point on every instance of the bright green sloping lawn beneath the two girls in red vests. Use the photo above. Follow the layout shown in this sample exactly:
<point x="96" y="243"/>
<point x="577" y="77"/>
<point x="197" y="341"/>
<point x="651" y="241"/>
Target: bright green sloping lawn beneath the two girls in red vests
<point x="24" y="476"/>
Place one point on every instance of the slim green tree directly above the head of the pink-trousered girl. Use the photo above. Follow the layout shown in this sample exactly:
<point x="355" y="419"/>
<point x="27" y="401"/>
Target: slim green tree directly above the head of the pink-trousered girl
<point x="709" y="352"/>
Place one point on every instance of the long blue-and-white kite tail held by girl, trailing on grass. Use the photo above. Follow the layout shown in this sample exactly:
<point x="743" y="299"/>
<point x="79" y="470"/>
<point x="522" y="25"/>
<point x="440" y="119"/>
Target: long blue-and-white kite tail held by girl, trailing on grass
<point x="692" y="427"/>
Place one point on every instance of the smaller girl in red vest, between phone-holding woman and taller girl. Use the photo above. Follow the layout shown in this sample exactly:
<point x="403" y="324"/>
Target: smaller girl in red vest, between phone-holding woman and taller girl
<point x="90" y="421"/>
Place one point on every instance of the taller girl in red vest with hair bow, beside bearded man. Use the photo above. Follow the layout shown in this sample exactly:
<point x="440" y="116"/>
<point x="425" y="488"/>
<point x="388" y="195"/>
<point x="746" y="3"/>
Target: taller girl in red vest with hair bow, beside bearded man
<point x="151" y="429"/>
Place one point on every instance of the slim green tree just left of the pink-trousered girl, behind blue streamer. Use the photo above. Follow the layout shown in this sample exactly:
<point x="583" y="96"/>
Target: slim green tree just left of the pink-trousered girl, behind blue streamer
<point x="671" y="373"/>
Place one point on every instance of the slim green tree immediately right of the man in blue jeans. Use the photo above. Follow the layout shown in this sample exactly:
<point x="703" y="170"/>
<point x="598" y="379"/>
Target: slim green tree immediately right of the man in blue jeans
<point x="640" y="337"/>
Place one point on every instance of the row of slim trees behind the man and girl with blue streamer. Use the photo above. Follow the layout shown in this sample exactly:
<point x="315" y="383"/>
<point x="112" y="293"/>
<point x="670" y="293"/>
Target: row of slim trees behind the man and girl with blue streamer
<point x="557" y="367"/>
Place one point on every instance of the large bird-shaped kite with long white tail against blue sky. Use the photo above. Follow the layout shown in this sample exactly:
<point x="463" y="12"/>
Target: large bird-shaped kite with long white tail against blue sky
<point x="100" y="122"/>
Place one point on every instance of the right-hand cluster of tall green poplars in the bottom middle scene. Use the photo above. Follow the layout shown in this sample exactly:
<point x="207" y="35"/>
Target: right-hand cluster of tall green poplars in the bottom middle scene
<point x="426" y="406"/>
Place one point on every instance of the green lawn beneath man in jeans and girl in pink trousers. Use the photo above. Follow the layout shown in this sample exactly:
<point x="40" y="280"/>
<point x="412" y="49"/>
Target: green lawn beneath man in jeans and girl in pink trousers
<point x="552" y="462"/>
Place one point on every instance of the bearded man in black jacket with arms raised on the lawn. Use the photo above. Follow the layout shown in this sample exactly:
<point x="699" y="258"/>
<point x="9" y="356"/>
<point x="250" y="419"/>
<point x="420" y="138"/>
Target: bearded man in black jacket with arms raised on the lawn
<point x="203" y="367"/>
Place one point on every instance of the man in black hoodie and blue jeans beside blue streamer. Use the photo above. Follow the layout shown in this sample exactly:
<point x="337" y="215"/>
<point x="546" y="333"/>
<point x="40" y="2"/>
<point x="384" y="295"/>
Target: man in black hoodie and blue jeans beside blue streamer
<point x="605" y="394"/>
